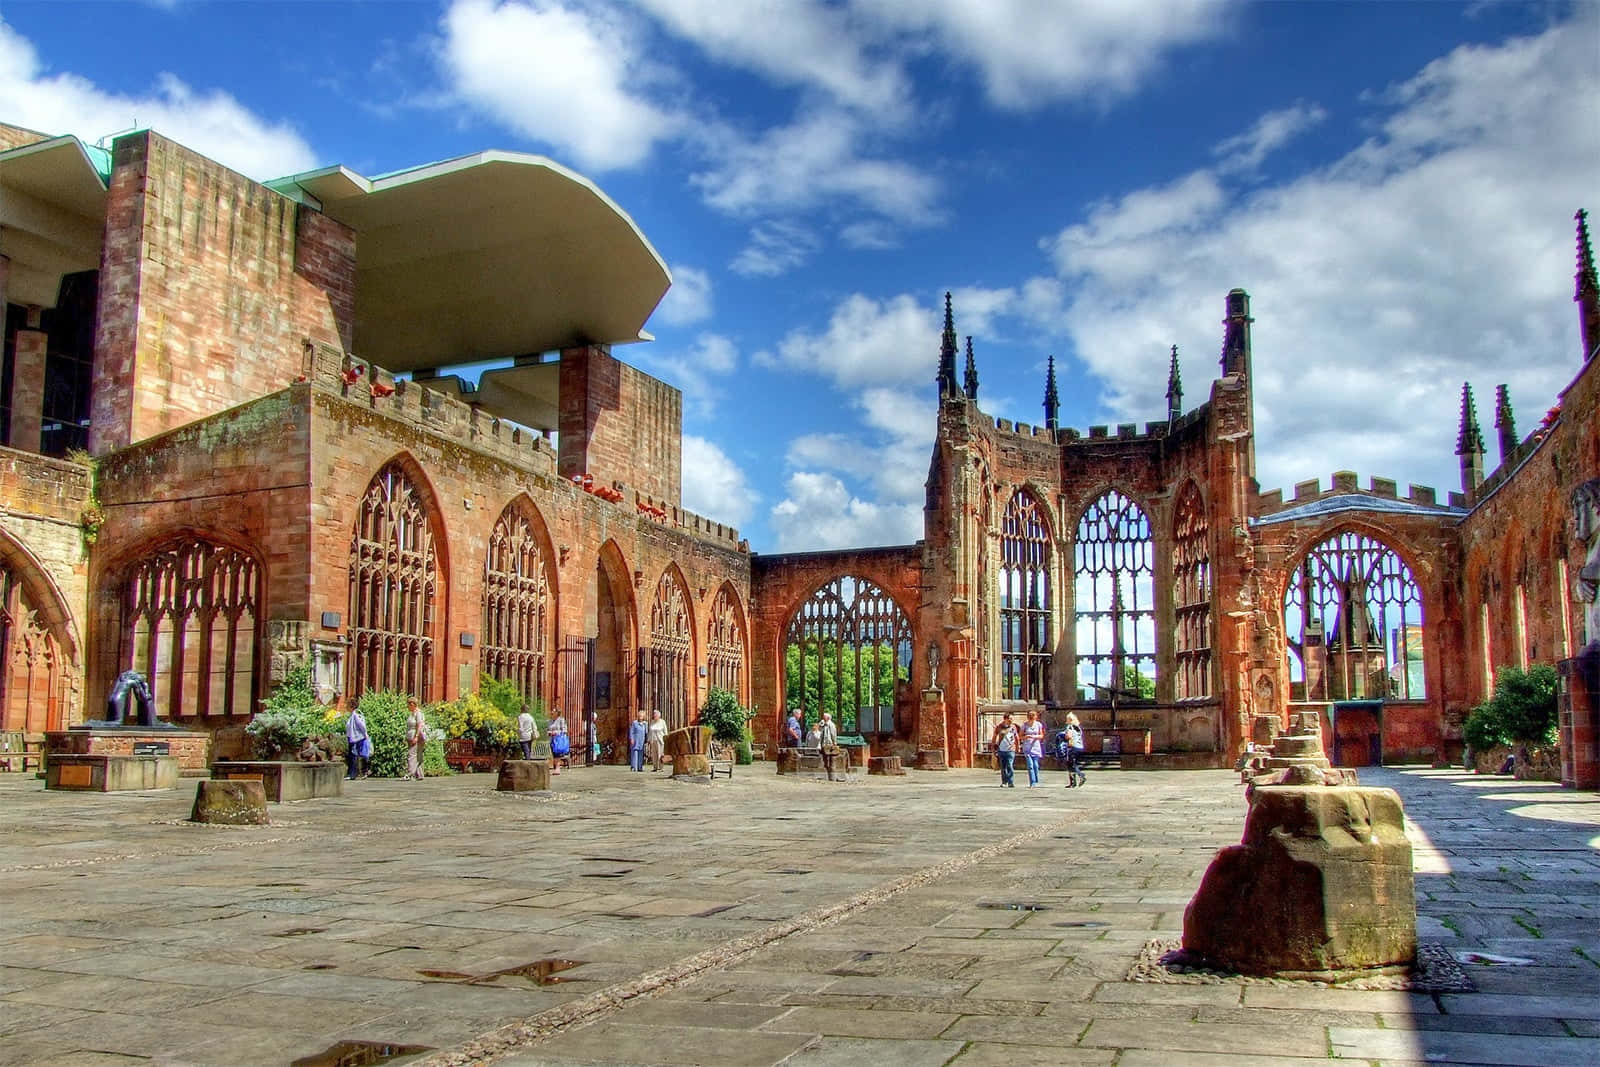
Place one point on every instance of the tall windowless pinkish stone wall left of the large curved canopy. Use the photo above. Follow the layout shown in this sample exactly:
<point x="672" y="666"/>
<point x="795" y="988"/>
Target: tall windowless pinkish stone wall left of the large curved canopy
<point x="209" y="286"/>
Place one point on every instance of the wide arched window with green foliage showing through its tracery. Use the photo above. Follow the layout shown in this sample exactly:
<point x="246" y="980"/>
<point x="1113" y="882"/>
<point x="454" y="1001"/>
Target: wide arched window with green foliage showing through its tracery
<point x="847" y="652"/>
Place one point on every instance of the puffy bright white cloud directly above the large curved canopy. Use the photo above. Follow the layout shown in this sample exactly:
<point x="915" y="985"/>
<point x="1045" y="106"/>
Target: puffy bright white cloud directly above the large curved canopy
<point x="575" y="78"/>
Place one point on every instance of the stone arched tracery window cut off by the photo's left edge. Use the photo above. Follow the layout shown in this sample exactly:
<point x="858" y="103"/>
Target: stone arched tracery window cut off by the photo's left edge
<point x="39" y="644"/>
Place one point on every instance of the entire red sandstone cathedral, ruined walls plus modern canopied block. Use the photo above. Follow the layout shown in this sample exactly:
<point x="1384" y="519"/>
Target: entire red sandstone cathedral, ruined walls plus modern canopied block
<point x="212" y="473"/>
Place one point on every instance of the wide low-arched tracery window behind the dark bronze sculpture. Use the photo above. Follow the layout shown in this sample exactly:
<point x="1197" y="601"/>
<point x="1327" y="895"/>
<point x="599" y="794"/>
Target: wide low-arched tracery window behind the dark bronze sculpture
<point x="191" y="625"/>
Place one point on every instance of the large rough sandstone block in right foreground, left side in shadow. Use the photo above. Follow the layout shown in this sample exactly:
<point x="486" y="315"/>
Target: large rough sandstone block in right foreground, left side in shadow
<point x="1322" y="884"/>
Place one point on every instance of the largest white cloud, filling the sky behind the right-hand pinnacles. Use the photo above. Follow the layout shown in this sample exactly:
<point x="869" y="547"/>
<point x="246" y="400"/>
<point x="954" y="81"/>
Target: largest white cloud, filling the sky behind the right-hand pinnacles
<point x="1436" y="252"/>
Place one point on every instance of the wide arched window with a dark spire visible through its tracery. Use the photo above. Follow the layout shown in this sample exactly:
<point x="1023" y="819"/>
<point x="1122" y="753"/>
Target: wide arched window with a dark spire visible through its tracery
<point x="1353" y="617"/>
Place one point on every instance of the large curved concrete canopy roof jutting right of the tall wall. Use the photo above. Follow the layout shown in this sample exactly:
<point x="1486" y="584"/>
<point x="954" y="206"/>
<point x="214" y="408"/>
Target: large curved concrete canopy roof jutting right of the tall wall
<point x="487" y="257"/>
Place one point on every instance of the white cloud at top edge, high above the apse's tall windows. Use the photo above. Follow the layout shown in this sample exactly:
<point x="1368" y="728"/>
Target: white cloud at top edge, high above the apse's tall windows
<point x="1030" y="54"/>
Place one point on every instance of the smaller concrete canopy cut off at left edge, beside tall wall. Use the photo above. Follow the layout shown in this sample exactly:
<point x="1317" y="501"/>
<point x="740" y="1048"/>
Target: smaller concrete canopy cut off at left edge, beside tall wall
<point x="52" y="217"/>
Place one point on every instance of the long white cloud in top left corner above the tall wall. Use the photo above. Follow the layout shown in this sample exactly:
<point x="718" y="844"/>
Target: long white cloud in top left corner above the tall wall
<point x="209" y="122"/>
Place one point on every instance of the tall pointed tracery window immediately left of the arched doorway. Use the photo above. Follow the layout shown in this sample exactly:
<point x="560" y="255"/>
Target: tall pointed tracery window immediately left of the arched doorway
<point x="518" y="604"/>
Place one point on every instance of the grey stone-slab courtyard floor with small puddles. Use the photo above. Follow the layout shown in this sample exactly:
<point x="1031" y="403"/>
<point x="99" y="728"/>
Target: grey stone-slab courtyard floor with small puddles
<point x="634" y="921"/>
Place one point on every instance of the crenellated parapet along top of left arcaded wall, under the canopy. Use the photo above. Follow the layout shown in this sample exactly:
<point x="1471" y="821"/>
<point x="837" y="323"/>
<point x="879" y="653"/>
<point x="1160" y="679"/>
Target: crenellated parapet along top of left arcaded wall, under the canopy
<point x="366" y="383"/>
